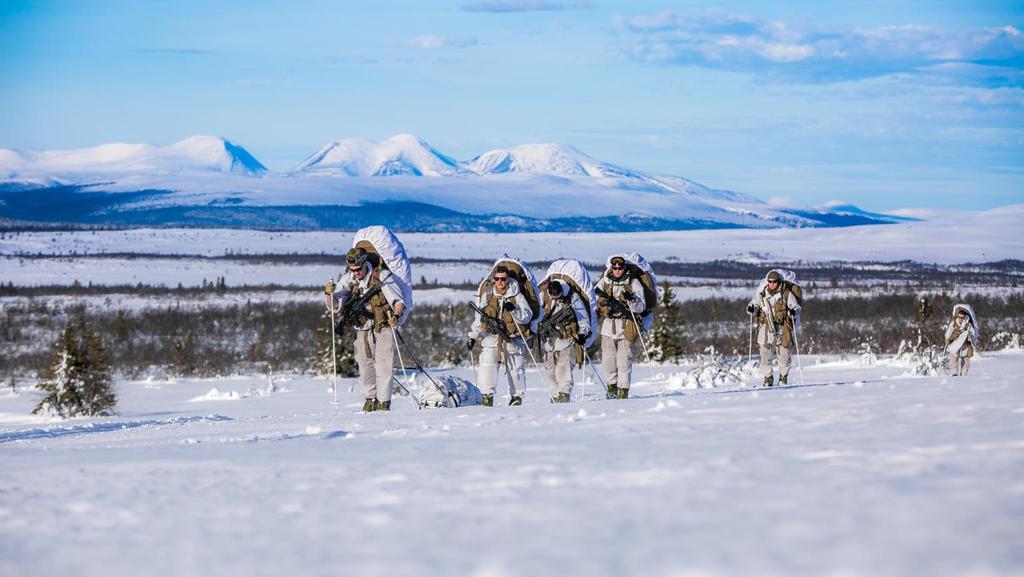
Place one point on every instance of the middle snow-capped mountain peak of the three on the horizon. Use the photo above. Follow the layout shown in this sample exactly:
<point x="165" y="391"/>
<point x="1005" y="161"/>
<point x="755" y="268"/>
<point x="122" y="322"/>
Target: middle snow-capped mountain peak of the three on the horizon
<point x="401" y="155"/>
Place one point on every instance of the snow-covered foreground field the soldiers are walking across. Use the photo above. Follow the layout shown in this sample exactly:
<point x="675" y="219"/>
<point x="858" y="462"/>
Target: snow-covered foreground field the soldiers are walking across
<point x="863" y="471"/>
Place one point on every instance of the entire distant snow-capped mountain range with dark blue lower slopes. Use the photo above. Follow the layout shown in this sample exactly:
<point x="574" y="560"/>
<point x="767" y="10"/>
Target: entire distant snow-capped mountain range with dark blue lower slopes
<point x="209" y="181"/>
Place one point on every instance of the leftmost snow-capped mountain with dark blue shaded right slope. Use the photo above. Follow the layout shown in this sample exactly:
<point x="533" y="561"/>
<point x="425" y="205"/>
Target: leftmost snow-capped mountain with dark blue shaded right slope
<point x="197" y="154"/>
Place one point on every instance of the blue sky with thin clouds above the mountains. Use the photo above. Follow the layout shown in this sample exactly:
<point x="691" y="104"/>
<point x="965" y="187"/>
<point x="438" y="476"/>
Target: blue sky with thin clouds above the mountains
<point x="884" y="104"/>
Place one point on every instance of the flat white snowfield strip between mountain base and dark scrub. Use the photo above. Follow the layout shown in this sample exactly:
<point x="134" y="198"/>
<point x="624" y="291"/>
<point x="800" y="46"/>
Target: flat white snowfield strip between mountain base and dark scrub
<point x="984" y="237"/>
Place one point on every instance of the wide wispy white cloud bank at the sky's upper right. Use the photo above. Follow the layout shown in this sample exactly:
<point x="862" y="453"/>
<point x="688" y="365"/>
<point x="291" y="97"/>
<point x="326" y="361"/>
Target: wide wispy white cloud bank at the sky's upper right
<point x="717" y="39"/>
